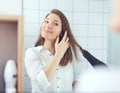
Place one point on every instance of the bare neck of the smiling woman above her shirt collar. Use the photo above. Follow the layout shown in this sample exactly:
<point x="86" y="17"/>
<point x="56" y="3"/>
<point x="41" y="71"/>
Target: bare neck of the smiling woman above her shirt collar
<point x="49" y="46"/>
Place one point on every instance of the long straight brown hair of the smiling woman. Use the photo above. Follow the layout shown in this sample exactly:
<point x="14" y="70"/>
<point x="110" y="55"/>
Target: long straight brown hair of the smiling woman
<point x="68" y="56"/>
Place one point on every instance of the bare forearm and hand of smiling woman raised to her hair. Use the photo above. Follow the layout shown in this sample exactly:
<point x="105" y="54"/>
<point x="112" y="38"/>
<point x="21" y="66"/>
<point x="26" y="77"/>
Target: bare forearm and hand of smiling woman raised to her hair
<point x="60" y="49"/>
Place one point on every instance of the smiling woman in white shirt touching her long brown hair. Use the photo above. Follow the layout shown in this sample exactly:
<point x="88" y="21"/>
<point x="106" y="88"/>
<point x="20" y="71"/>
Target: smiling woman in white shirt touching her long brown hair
<point x="50" y="64"/>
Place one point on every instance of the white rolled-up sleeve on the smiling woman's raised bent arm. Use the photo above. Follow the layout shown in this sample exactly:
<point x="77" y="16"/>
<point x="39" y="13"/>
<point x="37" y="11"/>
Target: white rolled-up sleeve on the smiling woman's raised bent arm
<point x="34" y="68"/>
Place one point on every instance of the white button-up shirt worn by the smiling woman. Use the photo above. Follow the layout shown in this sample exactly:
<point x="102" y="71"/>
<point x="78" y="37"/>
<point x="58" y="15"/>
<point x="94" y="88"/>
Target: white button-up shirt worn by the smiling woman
<point x="36" y="60"/>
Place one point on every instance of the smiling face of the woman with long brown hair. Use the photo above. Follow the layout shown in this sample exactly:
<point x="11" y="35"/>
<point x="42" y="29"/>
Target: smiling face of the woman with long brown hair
<point x="51" y="27"/>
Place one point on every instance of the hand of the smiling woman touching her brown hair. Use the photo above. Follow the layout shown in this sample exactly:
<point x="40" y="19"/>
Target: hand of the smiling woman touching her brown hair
<point x="62" y="46"/>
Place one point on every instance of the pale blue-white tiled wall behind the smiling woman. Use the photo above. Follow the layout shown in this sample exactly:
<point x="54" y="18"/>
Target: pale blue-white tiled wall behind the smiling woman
<point x="88" y="20"/>
